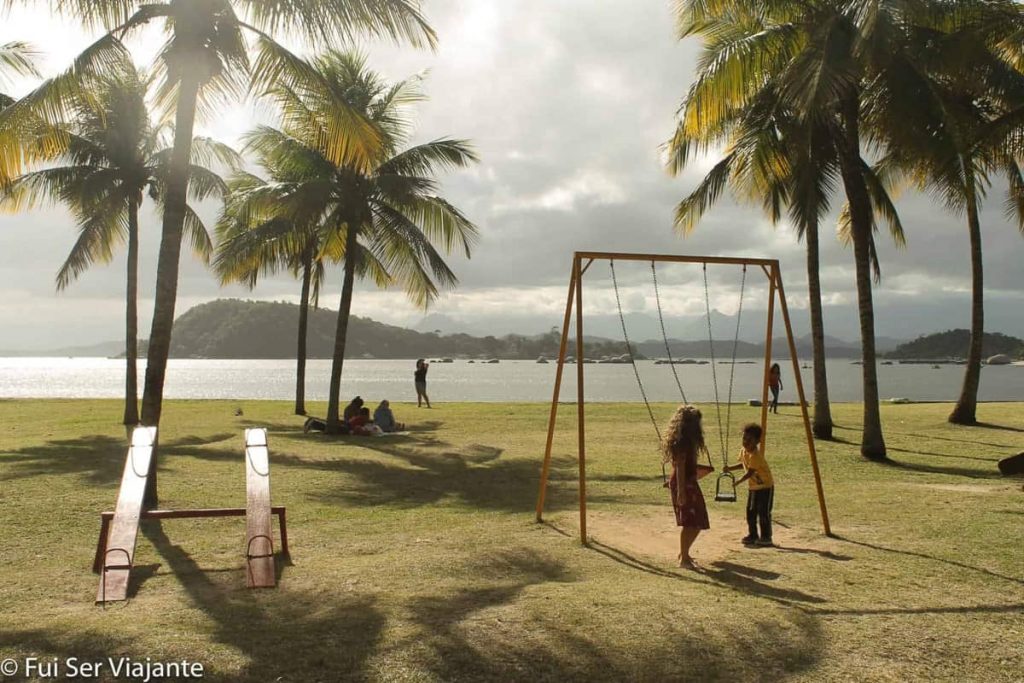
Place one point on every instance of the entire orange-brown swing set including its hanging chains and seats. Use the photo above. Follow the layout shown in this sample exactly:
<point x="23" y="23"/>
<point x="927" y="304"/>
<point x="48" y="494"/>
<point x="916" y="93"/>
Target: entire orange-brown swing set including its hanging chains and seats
<point x="726" y="488"/>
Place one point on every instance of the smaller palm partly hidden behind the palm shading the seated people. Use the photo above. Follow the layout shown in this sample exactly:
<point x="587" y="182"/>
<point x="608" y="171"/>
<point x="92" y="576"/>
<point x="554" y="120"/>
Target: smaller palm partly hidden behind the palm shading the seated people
<point x="252" y="240"/>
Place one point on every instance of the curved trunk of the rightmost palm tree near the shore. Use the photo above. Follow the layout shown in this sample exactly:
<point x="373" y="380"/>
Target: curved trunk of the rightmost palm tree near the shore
<point x="965" y="413"/>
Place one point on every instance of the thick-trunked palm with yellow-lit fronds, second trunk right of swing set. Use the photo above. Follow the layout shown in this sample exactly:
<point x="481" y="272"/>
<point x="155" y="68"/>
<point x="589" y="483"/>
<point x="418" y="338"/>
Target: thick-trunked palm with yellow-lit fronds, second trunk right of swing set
<point x="822" y="58"/>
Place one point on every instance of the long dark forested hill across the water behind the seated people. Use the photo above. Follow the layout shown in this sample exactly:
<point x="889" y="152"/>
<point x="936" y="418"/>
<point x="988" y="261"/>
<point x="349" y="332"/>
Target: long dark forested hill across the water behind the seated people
<point x="234" y="329"/>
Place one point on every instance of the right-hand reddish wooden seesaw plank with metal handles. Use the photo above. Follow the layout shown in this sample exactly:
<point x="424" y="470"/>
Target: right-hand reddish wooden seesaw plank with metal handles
<point x="260" y="543"/>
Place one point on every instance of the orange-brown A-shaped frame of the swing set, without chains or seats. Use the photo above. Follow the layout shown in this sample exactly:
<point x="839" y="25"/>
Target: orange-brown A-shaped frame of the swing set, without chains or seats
<point x="581" y="263"/>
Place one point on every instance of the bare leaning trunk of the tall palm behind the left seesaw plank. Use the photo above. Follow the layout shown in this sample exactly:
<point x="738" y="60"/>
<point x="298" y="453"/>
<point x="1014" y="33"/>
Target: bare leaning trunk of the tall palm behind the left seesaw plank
<point x="167" y="268"/>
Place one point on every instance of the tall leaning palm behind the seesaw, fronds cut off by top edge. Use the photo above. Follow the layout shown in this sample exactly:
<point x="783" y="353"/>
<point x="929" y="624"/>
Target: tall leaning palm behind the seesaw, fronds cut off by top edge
<point x="205" y="61"/>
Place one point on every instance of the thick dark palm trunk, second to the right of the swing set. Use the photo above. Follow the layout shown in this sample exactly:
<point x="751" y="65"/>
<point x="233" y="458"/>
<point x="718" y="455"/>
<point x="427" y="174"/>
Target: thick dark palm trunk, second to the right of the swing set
<point x="873" y="444"/>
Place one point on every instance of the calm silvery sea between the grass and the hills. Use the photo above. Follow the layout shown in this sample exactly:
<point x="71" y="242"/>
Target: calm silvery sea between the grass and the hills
<point x="462" y="381"/>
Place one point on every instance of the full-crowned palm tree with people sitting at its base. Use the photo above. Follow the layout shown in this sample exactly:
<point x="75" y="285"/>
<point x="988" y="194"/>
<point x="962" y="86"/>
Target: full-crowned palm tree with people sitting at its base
<point x="385" y="217"/>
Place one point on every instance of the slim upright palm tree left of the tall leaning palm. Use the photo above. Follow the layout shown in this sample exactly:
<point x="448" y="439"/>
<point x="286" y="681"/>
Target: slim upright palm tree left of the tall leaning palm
<point x="112" y="158"/>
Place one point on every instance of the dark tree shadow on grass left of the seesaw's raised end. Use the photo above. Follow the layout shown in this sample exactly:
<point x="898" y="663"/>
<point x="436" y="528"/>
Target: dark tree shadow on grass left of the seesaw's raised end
<point x="101" y="459"/>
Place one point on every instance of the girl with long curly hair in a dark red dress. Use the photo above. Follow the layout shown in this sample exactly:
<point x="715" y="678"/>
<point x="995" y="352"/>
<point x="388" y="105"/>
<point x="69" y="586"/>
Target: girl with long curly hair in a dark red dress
<point x="682" y="443"/>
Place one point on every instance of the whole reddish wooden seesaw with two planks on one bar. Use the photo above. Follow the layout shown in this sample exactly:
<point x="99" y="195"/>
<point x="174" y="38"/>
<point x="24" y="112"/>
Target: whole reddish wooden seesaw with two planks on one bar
<point x="119" y="530"/>
